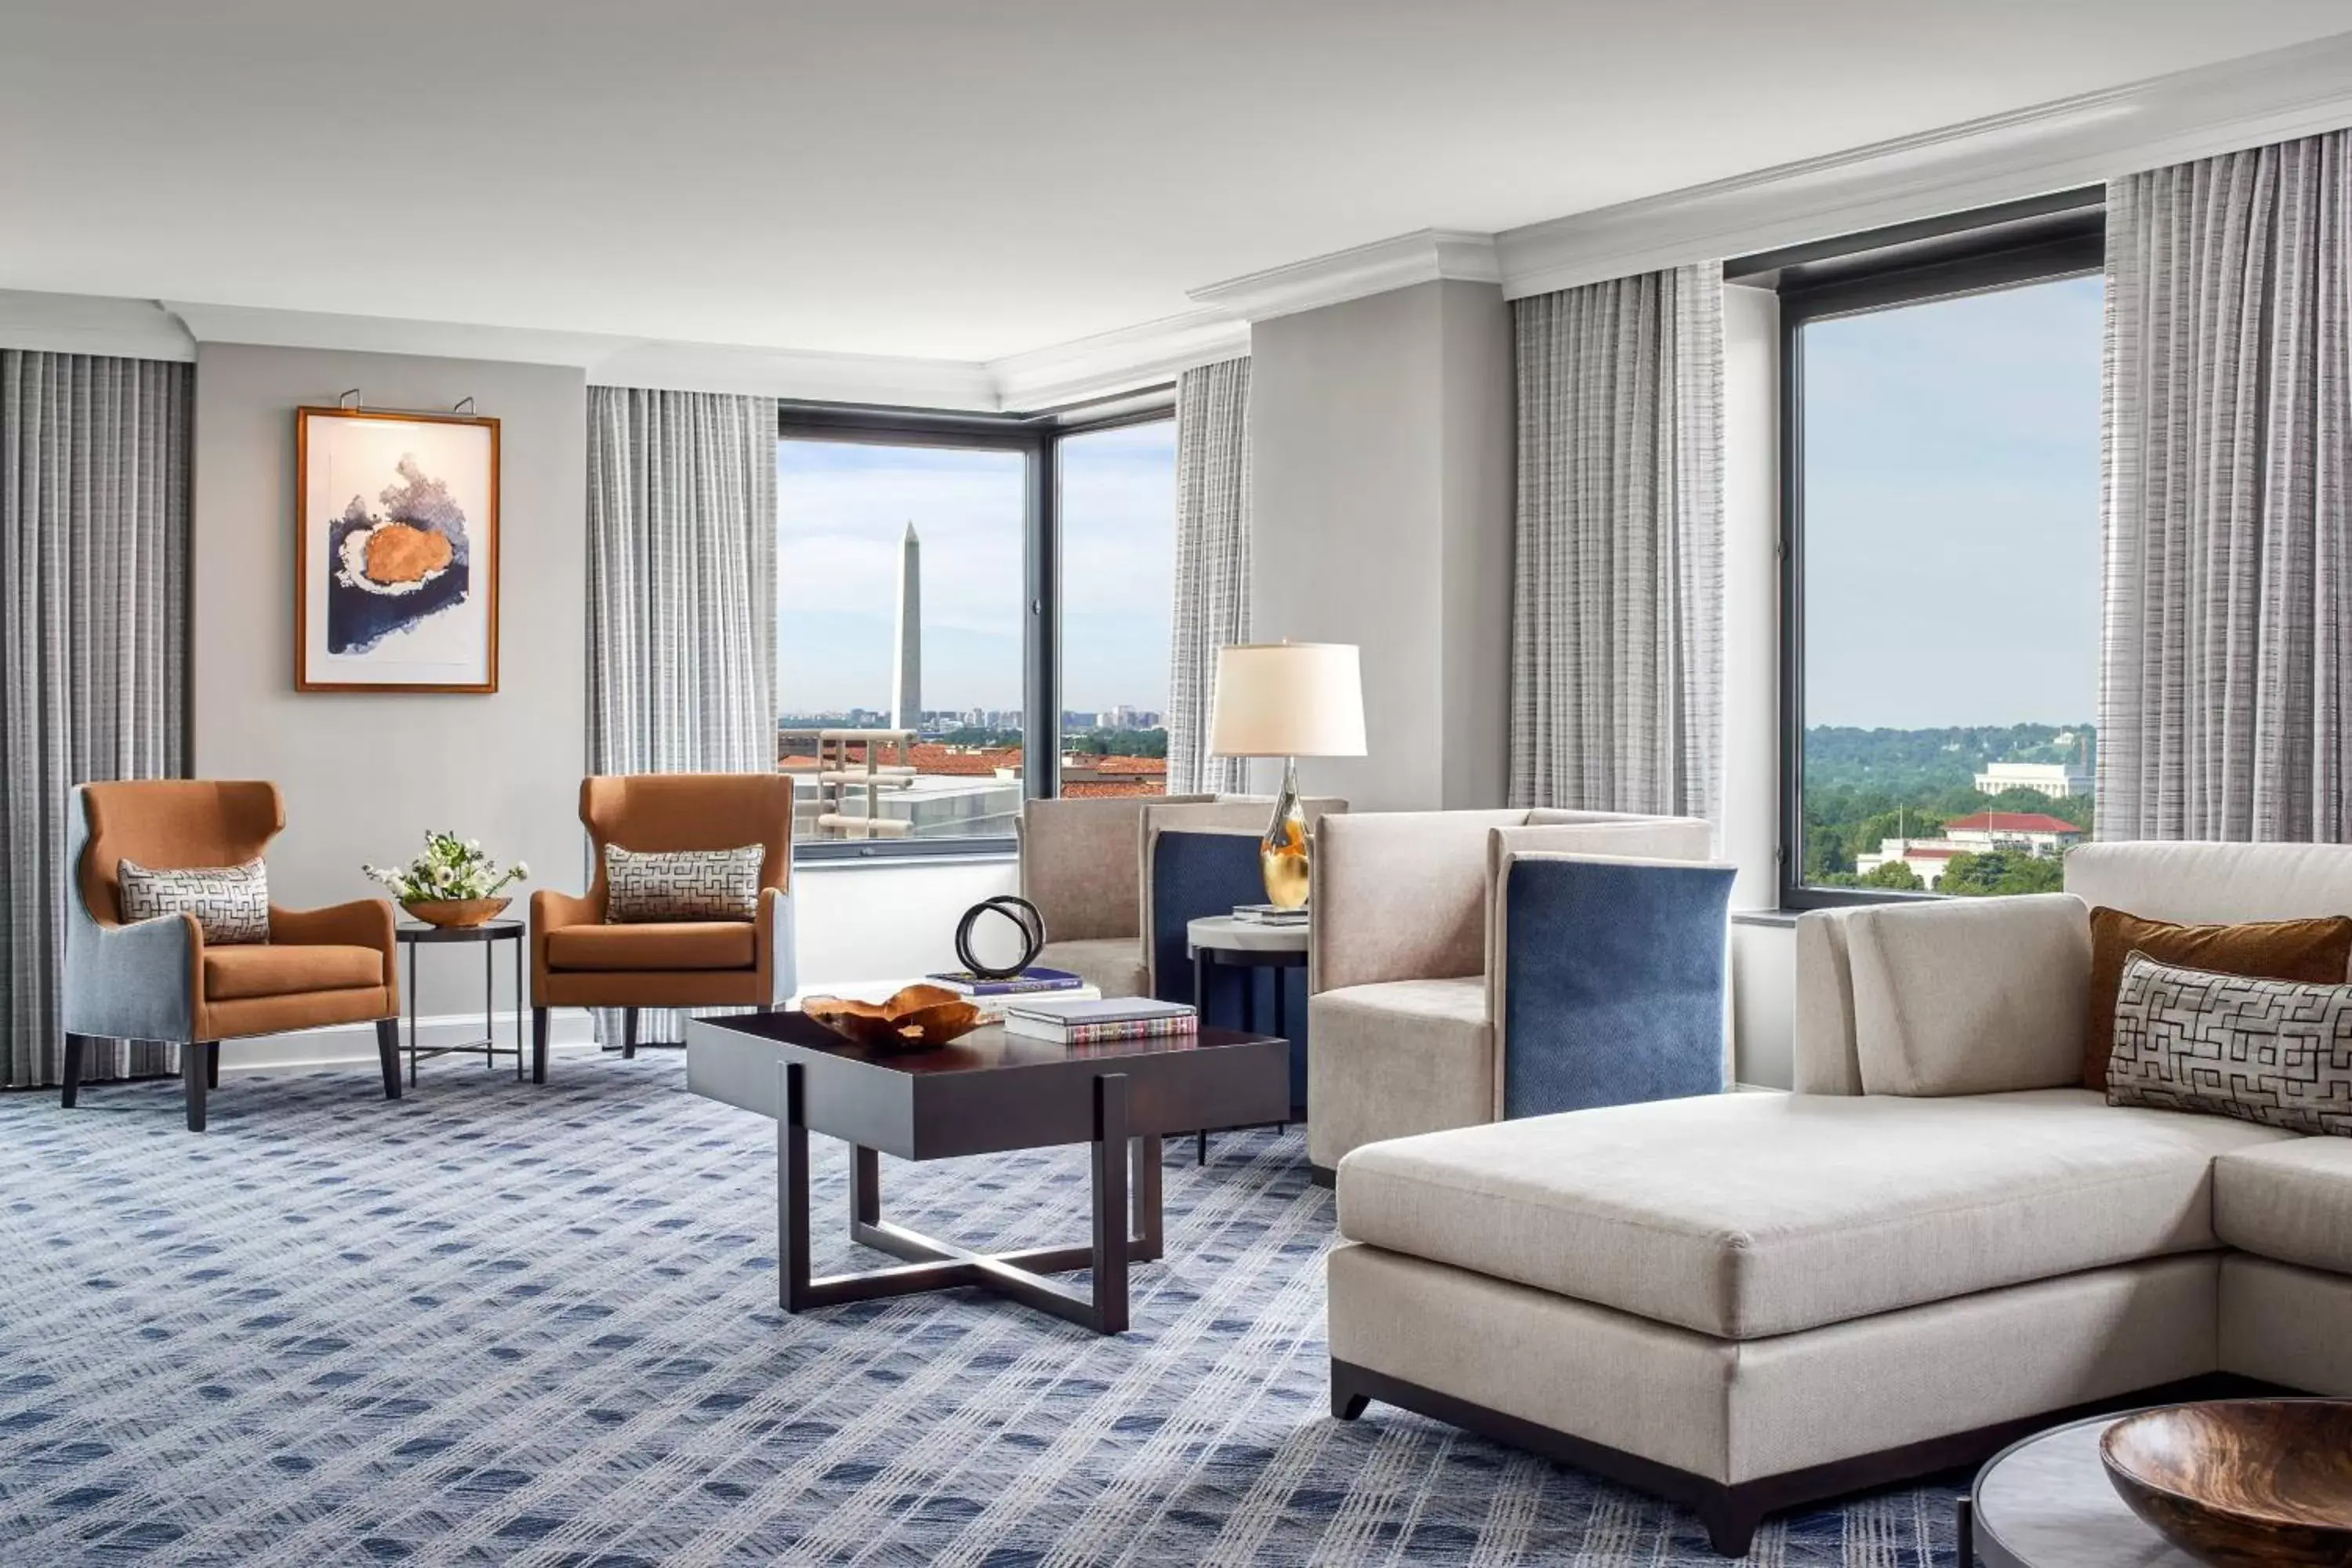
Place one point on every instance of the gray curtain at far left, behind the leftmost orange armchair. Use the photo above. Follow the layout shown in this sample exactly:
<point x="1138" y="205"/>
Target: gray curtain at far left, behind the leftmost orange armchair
<point x="93" y="648"/>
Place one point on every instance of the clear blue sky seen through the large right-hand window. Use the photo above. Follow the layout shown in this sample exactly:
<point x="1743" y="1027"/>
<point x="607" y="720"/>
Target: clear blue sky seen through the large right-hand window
<point x="1951" y="511"/>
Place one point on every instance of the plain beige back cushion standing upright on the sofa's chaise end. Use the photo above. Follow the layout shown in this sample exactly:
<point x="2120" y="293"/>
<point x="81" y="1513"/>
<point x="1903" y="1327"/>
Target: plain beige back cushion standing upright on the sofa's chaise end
<point x="1930" y="1024"/>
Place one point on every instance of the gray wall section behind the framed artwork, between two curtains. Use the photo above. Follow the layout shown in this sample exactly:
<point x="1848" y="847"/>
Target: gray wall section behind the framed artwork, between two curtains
<point x="368" y="775"/>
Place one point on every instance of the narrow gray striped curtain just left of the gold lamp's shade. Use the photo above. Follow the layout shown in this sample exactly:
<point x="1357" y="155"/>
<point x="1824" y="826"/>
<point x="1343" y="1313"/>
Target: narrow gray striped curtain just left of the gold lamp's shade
<point x="1212" y="565"/>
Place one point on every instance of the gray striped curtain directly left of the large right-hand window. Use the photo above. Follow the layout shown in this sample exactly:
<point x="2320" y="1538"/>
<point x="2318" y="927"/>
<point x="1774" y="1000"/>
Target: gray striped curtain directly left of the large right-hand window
<point x="1617" y="608"/>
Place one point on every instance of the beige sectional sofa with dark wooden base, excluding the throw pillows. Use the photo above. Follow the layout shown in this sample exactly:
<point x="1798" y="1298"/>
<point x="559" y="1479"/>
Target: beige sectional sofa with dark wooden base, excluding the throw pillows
<point x="1942" y="1242"/>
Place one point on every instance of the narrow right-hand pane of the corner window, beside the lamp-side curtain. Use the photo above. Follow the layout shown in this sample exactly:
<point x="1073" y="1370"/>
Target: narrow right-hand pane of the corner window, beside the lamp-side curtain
<point x="1118" y="572"/>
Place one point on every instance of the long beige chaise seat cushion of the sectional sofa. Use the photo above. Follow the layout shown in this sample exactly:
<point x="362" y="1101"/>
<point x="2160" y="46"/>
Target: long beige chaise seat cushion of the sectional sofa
<point x="1760" y="1214"/>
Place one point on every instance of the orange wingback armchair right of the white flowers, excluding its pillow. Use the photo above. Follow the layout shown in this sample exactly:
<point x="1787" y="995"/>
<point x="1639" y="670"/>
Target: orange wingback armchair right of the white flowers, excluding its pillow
<point x="580" y="958"/>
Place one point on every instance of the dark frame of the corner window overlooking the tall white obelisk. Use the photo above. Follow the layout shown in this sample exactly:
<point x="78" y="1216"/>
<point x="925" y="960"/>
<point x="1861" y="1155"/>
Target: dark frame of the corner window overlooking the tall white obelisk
<point x="1038" y="441"/>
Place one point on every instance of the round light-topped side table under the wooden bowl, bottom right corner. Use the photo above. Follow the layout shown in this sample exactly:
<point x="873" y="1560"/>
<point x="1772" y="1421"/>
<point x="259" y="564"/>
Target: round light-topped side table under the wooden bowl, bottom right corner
<point x="2047" y="1503"/>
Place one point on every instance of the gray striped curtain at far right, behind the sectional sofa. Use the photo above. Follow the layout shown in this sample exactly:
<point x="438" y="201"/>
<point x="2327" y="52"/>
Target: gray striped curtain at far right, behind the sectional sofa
<point x="2226" y="678"/>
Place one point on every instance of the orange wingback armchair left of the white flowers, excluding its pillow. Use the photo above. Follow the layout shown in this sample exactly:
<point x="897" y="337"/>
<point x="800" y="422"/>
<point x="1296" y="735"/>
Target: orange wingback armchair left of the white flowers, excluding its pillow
<point x="156" y="979"/>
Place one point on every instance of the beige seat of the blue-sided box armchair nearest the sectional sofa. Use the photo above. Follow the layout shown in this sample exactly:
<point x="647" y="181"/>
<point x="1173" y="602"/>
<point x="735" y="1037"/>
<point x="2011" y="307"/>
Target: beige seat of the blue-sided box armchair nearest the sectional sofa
<point x="1398" y="1059"/>
